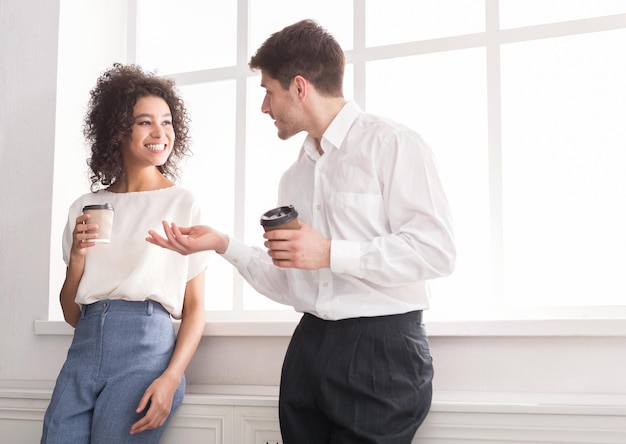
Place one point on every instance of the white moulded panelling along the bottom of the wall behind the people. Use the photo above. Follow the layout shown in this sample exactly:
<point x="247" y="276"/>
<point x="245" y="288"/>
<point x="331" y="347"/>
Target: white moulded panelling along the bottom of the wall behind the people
<point x="248" y="415"/>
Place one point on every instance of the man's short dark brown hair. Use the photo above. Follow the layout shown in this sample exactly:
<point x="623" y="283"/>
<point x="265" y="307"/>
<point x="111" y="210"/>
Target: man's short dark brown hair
<point x="306" y="49"/>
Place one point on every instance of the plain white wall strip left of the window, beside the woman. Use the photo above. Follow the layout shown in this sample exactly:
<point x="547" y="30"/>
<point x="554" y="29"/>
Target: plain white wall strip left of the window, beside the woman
<point x="28" y="39"/>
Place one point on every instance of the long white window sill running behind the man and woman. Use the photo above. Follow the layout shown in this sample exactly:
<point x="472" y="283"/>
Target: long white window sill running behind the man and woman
<point x="513" y="328"/>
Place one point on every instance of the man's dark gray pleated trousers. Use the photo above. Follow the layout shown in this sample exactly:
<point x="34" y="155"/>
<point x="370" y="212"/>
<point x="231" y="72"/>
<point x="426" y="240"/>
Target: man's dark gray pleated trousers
<point x="360" y="380"/>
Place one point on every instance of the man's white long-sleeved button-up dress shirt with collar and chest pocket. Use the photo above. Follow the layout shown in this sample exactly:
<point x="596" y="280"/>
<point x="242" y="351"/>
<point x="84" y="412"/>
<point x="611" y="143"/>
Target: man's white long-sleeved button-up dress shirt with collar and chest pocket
<point x="376" y="193"/>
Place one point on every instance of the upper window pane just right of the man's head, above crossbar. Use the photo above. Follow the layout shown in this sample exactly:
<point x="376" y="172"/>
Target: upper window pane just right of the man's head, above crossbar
<point x="399" y="21"/>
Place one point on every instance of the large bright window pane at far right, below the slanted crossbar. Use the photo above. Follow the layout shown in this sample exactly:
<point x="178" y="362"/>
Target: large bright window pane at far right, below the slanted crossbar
<point x="564" y="157"/>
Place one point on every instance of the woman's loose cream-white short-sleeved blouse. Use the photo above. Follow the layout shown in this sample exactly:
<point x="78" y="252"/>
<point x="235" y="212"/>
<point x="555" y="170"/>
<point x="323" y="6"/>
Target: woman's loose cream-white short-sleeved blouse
<point x="129" y="267"/>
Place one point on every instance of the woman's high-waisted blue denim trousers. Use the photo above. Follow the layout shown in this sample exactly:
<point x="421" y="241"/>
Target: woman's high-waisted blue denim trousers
<point x="119" y="349"/>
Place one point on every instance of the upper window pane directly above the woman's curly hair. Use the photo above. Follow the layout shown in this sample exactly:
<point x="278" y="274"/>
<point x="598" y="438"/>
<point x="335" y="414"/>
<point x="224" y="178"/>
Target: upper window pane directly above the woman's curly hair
<point x="186" y="35"/>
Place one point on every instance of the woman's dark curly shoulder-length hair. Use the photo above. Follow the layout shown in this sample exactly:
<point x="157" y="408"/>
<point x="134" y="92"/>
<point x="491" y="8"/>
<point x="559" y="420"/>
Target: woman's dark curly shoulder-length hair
<point x="110" y="117"/>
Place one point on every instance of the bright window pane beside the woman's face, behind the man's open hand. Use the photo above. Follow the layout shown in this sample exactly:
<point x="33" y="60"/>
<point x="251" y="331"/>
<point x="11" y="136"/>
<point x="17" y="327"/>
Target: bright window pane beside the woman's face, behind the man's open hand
<point x="210" y="174"/>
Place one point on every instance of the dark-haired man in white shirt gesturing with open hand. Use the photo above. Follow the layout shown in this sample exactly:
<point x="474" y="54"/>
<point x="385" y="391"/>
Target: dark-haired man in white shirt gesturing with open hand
<point x="374" y="227"/>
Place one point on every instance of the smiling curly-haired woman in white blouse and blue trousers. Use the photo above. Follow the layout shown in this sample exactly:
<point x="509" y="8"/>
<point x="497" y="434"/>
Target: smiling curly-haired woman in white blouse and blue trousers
<point x="124" y="372"/>
